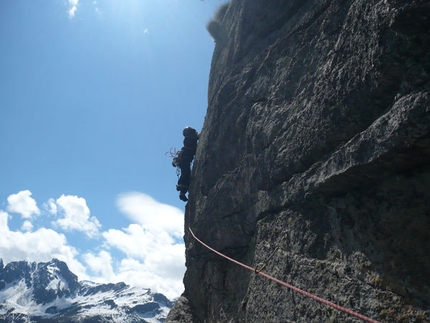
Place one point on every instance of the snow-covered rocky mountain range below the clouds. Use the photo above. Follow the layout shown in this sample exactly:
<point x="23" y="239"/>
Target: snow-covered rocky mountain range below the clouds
<point x="49" y="292"/>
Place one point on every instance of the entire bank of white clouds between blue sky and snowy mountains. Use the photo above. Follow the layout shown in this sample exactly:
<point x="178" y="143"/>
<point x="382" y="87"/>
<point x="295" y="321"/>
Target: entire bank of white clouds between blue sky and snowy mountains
<point x="149" y="252"/>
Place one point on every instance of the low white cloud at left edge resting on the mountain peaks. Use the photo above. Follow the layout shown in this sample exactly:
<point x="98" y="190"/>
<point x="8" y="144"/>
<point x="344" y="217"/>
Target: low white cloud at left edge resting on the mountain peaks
<point x="41" y="245"/>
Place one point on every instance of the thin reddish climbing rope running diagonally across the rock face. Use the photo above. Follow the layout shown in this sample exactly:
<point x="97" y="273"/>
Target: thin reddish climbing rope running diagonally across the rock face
<point x="319" y="299"/>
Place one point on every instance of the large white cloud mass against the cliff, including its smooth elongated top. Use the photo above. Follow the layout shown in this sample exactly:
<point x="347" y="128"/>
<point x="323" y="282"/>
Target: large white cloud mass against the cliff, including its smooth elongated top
<point x="155" y="259"/>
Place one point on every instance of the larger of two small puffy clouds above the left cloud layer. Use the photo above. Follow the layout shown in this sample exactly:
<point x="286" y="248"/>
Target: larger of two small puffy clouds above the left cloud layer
<point x="76" y="215"/>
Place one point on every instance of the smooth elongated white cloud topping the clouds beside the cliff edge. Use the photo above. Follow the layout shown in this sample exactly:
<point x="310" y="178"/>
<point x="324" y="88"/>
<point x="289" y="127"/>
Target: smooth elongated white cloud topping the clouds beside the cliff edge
<point x="151" y="214"/>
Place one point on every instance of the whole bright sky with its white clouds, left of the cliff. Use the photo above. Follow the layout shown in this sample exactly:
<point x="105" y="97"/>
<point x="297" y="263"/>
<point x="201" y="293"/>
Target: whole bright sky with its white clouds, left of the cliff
<point x="92" y="95"/>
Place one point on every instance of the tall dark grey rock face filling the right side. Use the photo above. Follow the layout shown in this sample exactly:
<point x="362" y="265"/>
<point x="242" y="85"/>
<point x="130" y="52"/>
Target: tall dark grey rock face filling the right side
<point x="314" y="159"/>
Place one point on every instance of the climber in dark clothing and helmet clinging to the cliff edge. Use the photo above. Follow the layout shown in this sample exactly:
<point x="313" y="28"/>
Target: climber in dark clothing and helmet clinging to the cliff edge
<point x="183" y="160"/>
